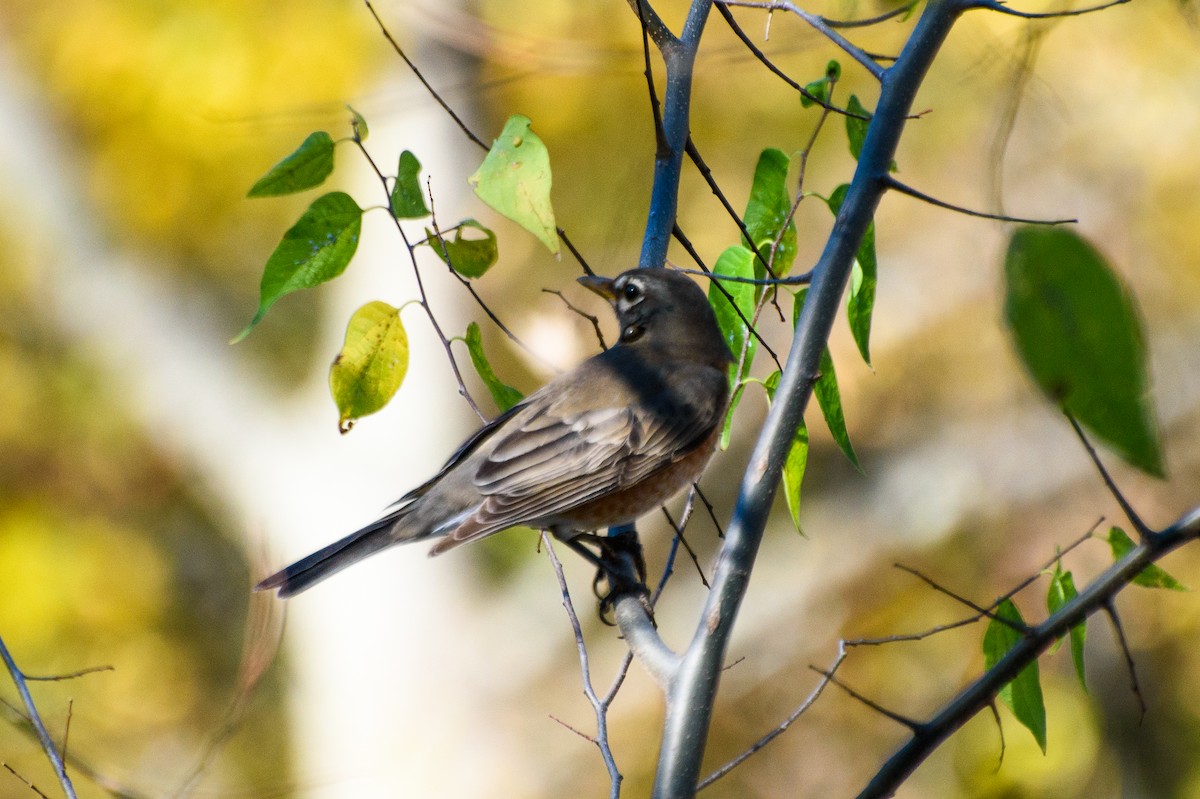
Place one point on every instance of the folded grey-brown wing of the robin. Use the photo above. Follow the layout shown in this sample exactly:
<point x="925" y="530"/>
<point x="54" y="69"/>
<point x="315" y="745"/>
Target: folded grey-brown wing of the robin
<point x="565" y="453"/>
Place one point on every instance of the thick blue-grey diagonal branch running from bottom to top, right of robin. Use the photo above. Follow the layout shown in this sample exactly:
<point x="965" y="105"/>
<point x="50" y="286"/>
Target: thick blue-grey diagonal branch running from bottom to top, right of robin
<point x="692" y="694"/>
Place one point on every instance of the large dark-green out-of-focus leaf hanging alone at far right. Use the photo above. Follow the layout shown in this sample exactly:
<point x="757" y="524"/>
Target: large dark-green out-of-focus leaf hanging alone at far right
<point x="1078" y="332"/>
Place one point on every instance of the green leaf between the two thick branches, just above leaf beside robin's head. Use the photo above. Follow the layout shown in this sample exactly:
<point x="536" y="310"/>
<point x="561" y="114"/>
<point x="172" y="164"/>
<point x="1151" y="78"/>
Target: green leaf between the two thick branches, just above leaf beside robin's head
<point x="769" y="212"/>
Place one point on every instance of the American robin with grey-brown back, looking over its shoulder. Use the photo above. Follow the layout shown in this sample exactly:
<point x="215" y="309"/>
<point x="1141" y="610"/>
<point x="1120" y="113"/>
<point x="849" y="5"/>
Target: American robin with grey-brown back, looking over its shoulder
<point x="596" y="448"/>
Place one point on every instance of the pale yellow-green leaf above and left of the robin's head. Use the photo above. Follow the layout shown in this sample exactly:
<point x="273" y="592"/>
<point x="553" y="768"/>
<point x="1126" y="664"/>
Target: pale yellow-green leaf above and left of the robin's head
<point x="515" y="179"/>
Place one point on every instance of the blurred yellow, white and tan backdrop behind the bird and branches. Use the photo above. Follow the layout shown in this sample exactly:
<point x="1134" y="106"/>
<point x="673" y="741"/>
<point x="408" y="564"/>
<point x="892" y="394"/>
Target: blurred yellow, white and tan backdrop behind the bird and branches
<point x="151" y="473"/>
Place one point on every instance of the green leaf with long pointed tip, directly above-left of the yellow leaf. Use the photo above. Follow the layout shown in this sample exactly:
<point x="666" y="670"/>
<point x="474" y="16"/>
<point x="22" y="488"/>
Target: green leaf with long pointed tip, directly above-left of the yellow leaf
<point x="317" y="249"/>
